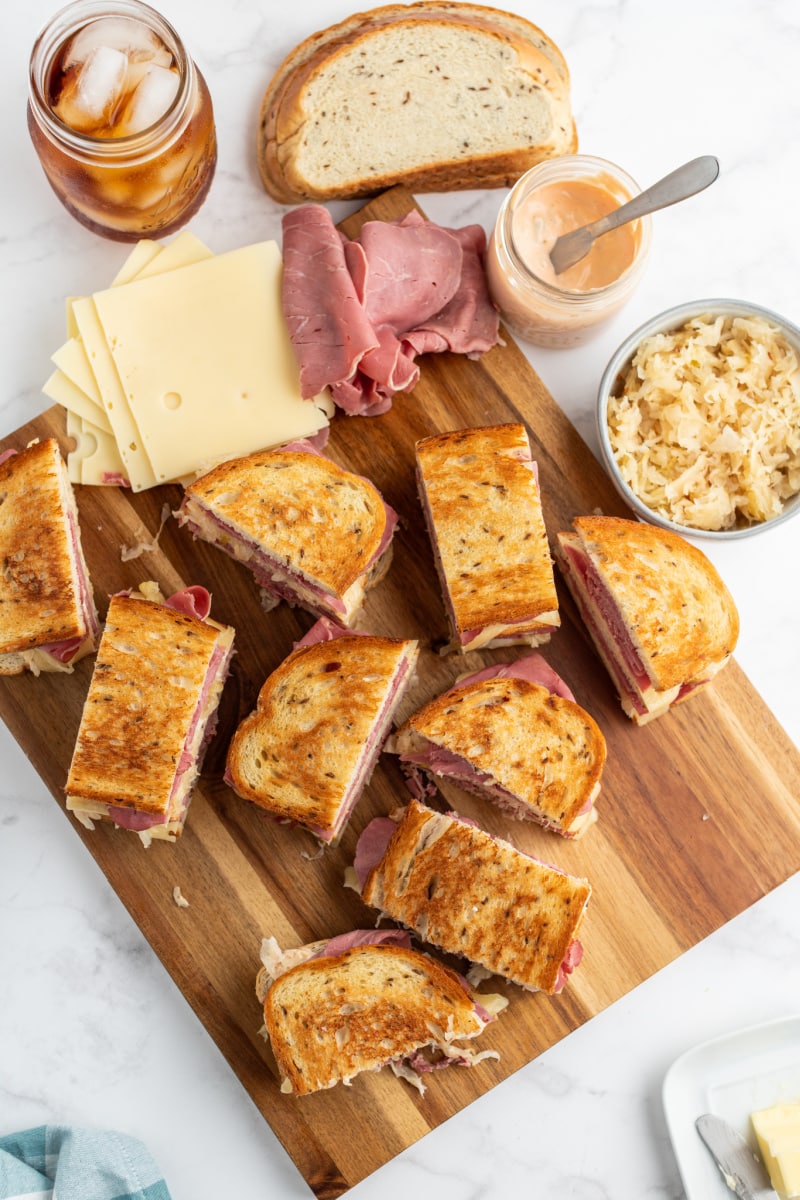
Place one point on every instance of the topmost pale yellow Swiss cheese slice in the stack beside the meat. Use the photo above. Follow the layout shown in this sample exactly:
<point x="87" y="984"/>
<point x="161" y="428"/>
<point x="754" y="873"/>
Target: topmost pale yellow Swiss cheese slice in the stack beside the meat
<point x="196" y="365"/>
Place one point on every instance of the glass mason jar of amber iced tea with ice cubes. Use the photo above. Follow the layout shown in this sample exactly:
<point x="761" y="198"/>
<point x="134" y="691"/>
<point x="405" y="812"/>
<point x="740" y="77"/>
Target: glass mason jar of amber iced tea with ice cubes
<point x="122" y="119"/>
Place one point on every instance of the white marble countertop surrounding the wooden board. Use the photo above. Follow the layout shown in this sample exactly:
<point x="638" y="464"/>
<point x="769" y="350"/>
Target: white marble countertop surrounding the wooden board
<point x="92" y="1028"/>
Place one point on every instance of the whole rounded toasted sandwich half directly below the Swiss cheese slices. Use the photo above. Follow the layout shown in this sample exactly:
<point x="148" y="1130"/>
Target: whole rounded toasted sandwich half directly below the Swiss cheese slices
<point x="312" y="533"/>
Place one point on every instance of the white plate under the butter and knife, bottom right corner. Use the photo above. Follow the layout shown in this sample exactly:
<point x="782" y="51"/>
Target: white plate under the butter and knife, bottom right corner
<point x="730" y="1077"/>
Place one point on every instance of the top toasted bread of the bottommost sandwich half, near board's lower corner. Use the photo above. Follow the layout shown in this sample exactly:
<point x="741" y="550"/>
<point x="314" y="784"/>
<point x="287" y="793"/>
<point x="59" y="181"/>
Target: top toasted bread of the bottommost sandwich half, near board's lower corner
<point x="333" y="1018"/>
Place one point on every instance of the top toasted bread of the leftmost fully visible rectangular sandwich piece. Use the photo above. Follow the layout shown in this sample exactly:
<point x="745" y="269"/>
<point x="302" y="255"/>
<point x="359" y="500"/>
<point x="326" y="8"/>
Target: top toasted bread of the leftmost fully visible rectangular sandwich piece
<point x="149" y="674"/>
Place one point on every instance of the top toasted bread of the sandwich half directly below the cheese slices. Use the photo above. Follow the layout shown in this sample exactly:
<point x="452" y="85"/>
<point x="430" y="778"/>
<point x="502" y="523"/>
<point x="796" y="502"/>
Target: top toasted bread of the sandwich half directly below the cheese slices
<point x="321" y="520"/>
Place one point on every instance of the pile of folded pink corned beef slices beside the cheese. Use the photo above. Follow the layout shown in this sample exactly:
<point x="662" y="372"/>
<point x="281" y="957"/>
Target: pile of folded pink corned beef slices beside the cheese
<point x="360" y="311"/>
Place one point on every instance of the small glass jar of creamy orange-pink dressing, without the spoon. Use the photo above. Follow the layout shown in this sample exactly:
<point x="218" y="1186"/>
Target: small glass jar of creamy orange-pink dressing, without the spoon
<point x="549" y="201"/>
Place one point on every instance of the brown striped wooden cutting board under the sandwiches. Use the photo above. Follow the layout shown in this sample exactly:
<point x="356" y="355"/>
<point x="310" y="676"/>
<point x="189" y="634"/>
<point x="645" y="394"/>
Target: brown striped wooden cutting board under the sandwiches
<point x="700" y="814"/>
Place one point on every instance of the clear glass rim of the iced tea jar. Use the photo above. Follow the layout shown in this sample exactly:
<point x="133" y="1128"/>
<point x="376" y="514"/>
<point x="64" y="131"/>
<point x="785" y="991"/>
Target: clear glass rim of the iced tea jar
<point x="67" y="23"/>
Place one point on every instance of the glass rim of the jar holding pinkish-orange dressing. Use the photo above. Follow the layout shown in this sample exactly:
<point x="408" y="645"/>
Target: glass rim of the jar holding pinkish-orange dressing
<point x="563" y="169"/>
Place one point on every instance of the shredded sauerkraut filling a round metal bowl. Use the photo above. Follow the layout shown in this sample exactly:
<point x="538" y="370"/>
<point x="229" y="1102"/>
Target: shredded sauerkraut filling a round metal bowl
<point x="699" y="419"/>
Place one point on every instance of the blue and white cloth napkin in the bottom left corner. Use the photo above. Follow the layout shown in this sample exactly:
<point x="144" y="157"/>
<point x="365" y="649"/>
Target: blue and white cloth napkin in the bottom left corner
<point x="71" y="1163"/>
